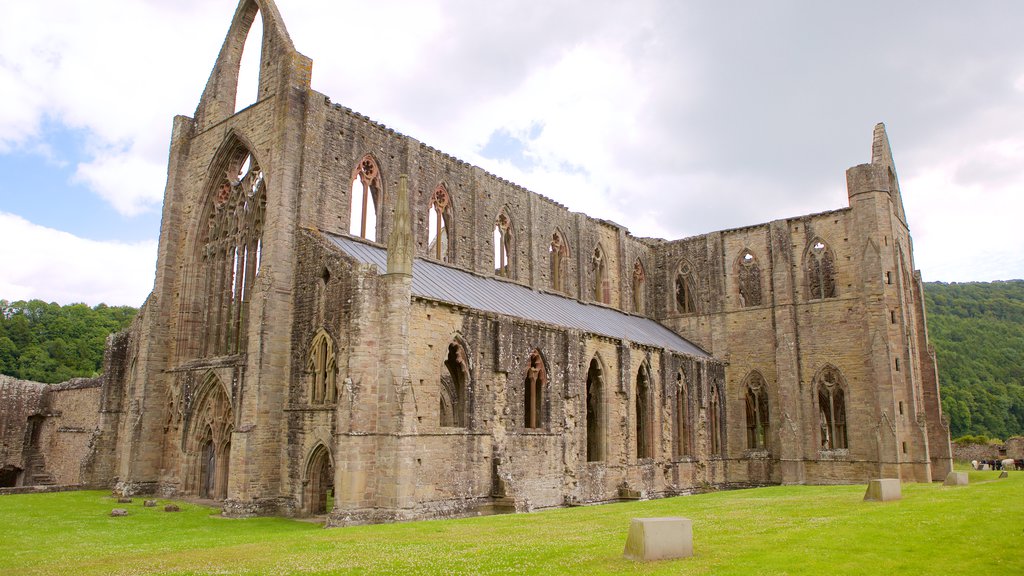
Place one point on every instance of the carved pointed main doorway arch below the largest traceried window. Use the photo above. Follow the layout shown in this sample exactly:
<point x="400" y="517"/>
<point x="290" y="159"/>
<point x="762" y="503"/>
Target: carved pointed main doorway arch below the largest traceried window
<point x="207" y="440"/>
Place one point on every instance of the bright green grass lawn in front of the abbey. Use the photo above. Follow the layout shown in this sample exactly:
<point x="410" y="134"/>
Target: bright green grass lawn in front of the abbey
<point x="977" y="529"/>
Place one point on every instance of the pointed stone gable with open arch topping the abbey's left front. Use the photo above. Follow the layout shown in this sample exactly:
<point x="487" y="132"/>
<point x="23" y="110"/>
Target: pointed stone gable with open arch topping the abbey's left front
<point x="219" y="98"/>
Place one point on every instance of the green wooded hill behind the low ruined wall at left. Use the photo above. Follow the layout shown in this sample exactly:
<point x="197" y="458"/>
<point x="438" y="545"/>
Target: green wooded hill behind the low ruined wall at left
<point x="49" y="343"/>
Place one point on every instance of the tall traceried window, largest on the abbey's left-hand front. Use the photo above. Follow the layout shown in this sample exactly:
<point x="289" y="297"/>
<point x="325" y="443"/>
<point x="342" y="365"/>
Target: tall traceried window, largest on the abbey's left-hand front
<point x="231" y="251"/>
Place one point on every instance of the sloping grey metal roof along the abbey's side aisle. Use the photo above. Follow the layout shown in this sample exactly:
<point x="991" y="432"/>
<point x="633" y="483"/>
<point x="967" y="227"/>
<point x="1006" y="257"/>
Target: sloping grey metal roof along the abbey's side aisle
<point x="438" y="282"/>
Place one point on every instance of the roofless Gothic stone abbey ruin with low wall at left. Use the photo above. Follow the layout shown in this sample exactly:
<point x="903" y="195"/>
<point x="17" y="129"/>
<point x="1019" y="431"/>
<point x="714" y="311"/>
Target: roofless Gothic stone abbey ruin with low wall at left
<point x="472" y="347"/>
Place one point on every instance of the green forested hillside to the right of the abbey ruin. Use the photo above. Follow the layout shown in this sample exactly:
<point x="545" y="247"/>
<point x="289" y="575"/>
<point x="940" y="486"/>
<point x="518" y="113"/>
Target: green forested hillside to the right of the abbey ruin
<point x="977" y="330"/>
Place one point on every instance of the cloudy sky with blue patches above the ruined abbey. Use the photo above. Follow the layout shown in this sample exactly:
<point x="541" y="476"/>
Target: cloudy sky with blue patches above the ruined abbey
<point x="672" y="118"/>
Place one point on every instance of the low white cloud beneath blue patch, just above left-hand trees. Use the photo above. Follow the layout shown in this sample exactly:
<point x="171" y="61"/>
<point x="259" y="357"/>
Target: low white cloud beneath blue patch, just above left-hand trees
<point x="54" y="266"/>
